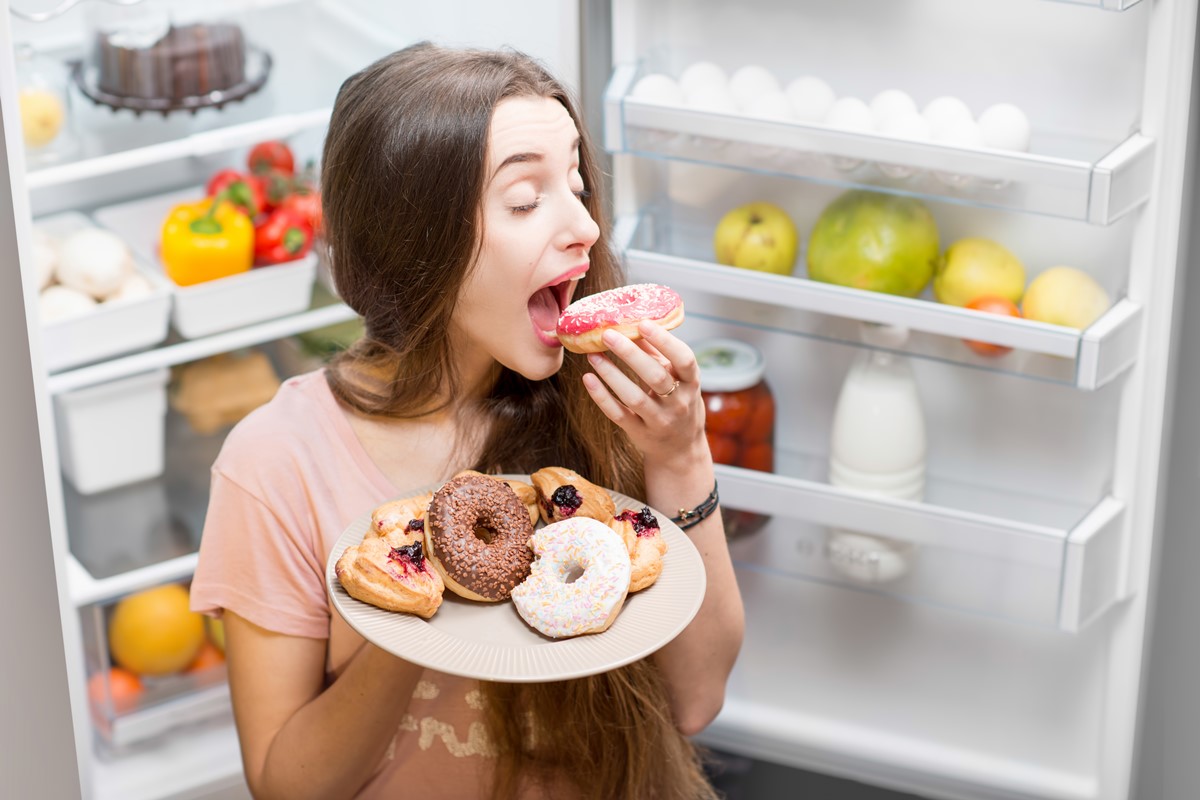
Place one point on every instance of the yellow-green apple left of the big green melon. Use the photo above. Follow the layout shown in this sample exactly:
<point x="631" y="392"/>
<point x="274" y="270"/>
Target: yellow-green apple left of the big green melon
<point x="758" y="237"/>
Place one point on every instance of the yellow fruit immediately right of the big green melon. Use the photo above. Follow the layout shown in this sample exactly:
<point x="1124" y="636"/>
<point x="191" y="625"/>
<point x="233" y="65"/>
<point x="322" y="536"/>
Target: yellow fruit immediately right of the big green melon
<point x="979" y="268"/>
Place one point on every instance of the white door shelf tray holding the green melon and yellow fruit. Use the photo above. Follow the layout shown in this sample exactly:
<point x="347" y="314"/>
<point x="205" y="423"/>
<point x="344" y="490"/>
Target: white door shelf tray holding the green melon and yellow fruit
<point x="677" y="254"/>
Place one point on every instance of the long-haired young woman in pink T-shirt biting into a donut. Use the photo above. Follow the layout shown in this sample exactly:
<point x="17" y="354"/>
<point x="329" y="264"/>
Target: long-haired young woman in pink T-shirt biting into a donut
<point x="459" y="191"/>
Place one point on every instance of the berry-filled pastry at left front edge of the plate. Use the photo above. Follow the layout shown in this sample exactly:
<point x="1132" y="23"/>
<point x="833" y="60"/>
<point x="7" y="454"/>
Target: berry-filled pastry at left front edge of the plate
<point x="393" y="574"/>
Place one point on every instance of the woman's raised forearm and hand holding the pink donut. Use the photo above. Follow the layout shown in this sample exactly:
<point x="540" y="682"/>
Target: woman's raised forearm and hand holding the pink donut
<point x="668" y="425"/>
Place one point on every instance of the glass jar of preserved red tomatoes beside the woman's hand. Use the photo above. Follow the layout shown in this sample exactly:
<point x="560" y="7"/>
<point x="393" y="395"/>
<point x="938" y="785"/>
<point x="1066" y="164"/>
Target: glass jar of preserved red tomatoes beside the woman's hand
<point x="740" y="417"/>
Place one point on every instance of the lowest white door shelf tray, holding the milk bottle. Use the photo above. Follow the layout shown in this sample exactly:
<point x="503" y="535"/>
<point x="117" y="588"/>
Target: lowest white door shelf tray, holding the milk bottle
<point x="1000" y="555"/>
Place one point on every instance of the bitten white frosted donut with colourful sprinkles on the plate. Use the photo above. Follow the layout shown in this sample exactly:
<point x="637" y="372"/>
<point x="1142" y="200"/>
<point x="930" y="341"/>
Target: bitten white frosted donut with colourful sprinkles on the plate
<point x="591" y="554"/>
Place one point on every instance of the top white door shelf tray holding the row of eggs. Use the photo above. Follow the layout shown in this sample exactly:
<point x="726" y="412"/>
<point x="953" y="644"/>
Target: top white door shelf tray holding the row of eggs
<point x="1072" y="178"/>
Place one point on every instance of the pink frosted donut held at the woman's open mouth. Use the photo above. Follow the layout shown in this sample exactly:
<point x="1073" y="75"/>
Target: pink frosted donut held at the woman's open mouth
<point x="583" y="324"/>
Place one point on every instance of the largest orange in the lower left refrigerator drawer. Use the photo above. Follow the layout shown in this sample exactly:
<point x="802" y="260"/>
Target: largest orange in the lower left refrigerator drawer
<point x="154" y="633"/>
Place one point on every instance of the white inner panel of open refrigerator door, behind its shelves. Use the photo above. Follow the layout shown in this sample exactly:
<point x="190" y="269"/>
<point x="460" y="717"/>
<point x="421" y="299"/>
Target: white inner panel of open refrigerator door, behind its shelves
<point x="854" y="683"/>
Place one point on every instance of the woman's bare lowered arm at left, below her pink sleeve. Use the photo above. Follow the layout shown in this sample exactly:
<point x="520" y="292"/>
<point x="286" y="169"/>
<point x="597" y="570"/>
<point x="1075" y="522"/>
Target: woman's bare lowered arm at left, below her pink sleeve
<point x="298" y="741"/>
